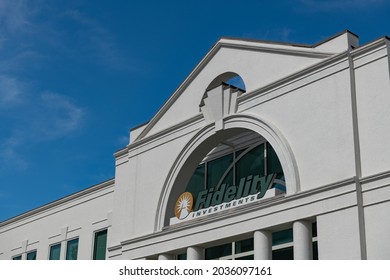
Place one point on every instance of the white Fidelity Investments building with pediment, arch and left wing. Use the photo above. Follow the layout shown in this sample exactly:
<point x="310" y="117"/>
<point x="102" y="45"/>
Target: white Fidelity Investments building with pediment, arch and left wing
<point x="293" y="162"/>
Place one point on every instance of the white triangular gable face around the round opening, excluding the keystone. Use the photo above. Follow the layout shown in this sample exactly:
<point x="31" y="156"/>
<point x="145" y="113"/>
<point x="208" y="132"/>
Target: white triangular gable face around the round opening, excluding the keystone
<point x="257" y="63"/>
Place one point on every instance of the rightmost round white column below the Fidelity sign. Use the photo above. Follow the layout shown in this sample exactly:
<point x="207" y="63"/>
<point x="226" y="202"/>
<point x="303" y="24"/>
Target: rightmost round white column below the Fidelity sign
<point x="303" y="246"/>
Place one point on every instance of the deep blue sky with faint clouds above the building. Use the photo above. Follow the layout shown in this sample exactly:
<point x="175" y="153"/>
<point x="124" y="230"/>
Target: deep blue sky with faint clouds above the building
<point x="75" y="76"/>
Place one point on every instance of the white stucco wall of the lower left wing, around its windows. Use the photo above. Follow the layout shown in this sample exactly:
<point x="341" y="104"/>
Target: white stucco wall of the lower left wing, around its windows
<point x="78" y="217"/>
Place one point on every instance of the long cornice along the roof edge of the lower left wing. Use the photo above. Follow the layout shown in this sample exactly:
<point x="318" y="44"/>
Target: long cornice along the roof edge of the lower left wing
<point x="59" y="201"/>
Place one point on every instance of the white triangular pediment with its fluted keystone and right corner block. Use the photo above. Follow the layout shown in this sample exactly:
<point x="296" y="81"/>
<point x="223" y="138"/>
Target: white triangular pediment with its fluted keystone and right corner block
<point x="258" y="63"/>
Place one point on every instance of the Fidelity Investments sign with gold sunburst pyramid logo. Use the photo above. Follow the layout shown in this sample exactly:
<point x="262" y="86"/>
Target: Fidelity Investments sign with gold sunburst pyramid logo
<point x="210" y="201"/>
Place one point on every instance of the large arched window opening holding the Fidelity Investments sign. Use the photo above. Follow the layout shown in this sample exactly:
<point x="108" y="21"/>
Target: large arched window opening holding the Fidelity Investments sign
<point x="238" y="171"/>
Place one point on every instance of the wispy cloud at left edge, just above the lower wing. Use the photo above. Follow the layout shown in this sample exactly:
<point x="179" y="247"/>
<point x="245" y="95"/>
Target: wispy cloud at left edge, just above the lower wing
<point x="39" y="118"/>
